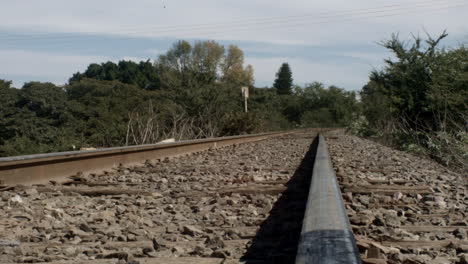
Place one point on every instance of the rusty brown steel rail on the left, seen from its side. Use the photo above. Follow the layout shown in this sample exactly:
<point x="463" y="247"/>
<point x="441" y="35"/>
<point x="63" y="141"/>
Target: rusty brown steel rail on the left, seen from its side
<point x="58" y="166"/>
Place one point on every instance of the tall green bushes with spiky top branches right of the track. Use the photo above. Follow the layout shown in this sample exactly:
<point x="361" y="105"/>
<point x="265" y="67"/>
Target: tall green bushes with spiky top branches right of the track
<point x="418" y="101"/>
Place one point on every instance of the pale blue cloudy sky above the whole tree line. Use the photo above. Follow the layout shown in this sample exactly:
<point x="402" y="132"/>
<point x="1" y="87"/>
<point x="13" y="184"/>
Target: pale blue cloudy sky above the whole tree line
<point x="334" y="41"/>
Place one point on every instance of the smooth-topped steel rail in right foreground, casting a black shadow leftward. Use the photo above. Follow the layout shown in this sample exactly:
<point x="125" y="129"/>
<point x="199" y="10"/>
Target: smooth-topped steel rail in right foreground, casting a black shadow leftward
<point x="326" y="235"/>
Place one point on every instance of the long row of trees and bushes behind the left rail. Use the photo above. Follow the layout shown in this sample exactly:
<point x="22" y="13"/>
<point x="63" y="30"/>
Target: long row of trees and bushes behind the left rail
<point x="191" y="91"/>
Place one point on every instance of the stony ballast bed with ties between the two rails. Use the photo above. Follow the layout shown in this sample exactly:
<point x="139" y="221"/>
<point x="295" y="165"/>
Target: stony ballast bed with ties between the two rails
<point x="207" y="207"/>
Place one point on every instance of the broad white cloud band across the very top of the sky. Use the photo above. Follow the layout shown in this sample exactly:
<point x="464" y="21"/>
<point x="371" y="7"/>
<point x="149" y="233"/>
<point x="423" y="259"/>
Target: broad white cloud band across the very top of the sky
<point x="283" y="22"/>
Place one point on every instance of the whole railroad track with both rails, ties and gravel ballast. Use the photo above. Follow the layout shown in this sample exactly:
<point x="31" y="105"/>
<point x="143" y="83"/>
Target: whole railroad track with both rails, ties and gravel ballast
<point x="243" y="203"/>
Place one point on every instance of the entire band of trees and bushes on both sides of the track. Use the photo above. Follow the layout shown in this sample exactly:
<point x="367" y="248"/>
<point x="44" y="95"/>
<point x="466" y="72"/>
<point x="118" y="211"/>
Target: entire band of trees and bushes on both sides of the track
<point x="416" y="102"/>
